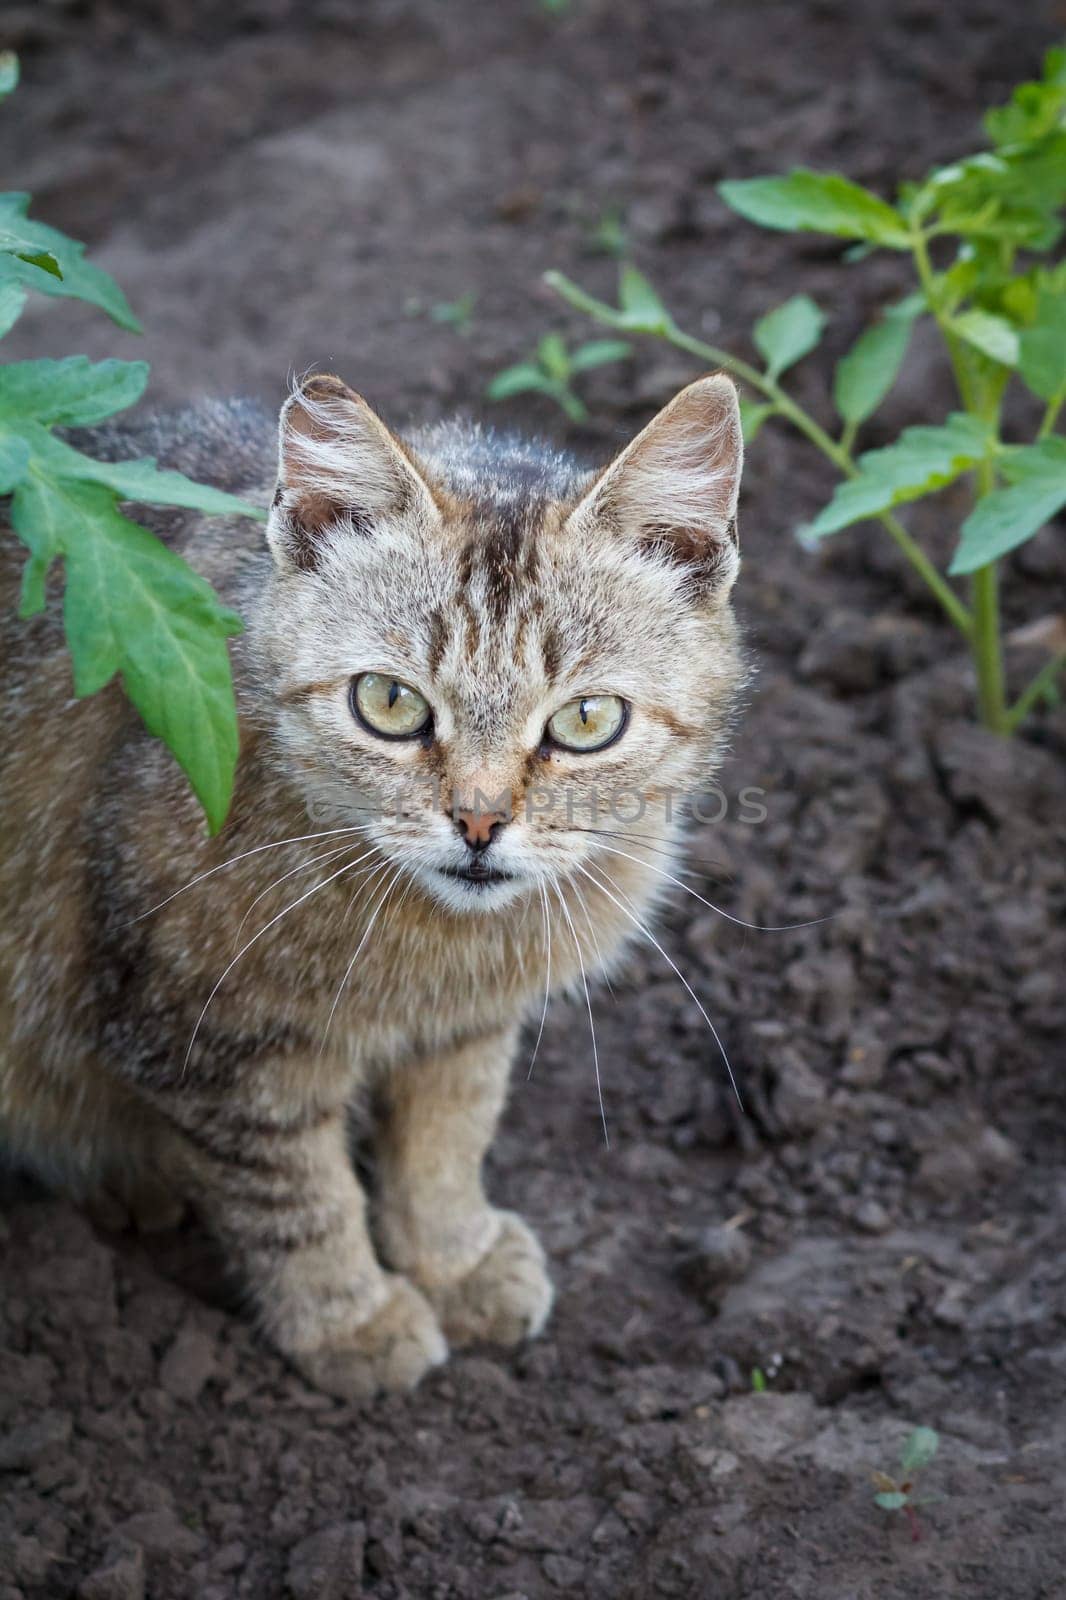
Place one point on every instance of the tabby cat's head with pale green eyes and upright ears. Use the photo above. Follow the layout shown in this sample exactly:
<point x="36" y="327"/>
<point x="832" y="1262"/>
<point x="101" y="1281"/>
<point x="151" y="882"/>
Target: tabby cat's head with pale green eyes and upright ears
<point x="491" y="658"/>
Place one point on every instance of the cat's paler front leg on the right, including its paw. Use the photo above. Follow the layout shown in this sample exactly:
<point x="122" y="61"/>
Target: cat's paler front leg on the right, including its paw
<point x="481" y="1268"/>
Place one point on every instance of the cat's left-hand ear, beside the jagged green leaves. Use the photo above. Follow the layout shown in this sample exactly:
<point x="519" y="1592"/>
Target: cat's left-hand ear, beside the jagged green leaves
<point x="339" y="466"/>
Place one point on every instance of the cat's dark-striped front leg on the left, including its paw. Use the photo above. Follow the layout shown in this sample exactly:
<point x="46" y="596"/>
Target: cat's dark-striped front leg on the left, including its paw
<point x="281" y="1193"/>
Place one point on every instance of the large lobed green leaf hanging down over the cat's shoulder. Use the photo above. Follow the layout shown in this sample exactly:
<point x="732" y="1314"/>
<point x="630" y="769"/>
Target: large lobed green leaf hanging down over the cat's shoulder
<point x="134" y="607"/>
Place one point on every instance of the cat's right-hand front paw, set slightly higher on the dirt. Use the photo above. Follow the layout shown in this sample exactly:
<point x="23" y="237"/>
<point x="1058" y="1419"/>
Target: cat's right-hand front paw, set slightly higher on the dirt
<point x="505" y="1298"/>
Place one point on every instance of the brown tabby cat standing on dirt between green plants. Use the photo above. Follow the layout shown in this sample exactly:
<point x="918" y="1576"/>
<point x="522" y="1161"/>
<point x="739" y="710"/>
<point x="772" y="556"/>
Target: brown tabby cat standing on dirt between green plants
<point x="459" y="647"/>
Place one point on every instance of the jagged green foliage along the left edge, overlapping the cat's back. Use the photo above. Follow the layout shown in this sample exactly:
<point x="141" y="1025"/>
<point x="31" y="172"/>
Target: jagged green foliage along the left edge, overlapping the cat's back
<point x="132" y="607"/>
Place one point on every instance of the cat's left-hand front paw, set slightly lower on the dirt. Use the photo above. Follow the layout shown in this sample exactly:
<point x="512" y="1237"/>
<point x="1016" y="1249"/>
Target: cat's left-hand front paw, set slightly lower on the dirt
<point x="393" y="1351"/>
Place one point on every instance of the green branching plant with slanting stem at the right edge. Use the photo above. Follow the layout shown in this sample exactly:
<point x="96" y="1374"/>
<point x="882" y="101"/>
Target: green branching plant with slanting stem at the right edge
<point x="979" y="234"/>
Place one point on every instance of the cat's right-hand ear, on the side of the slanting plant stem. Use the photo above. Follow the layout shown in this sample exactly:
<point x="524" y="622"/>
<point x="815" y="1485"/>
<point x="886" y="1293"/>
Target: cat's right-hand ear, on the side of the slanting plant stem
<point x="675" y="489"/>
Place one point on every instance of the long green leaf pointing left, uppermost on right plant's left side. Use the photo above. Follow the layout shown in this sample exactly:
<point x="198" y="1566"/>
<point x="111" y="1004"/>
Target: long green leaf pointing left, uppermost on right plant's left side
<point x="819" y="204"/>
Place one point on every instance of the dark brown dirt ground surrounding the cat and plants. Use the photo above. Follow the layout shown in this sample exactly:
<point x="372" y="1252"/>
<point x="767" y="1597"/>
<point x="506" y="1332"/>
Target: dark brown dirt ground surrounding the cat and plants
<point x="287" y="186"/>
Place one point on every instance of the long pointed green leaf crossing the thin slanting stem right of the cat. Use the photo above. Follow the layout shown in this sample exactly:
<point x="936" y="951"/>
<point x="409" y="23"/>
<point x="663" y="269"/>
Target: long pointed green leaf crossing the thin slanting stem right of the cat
<point x="920" y="462"/>
